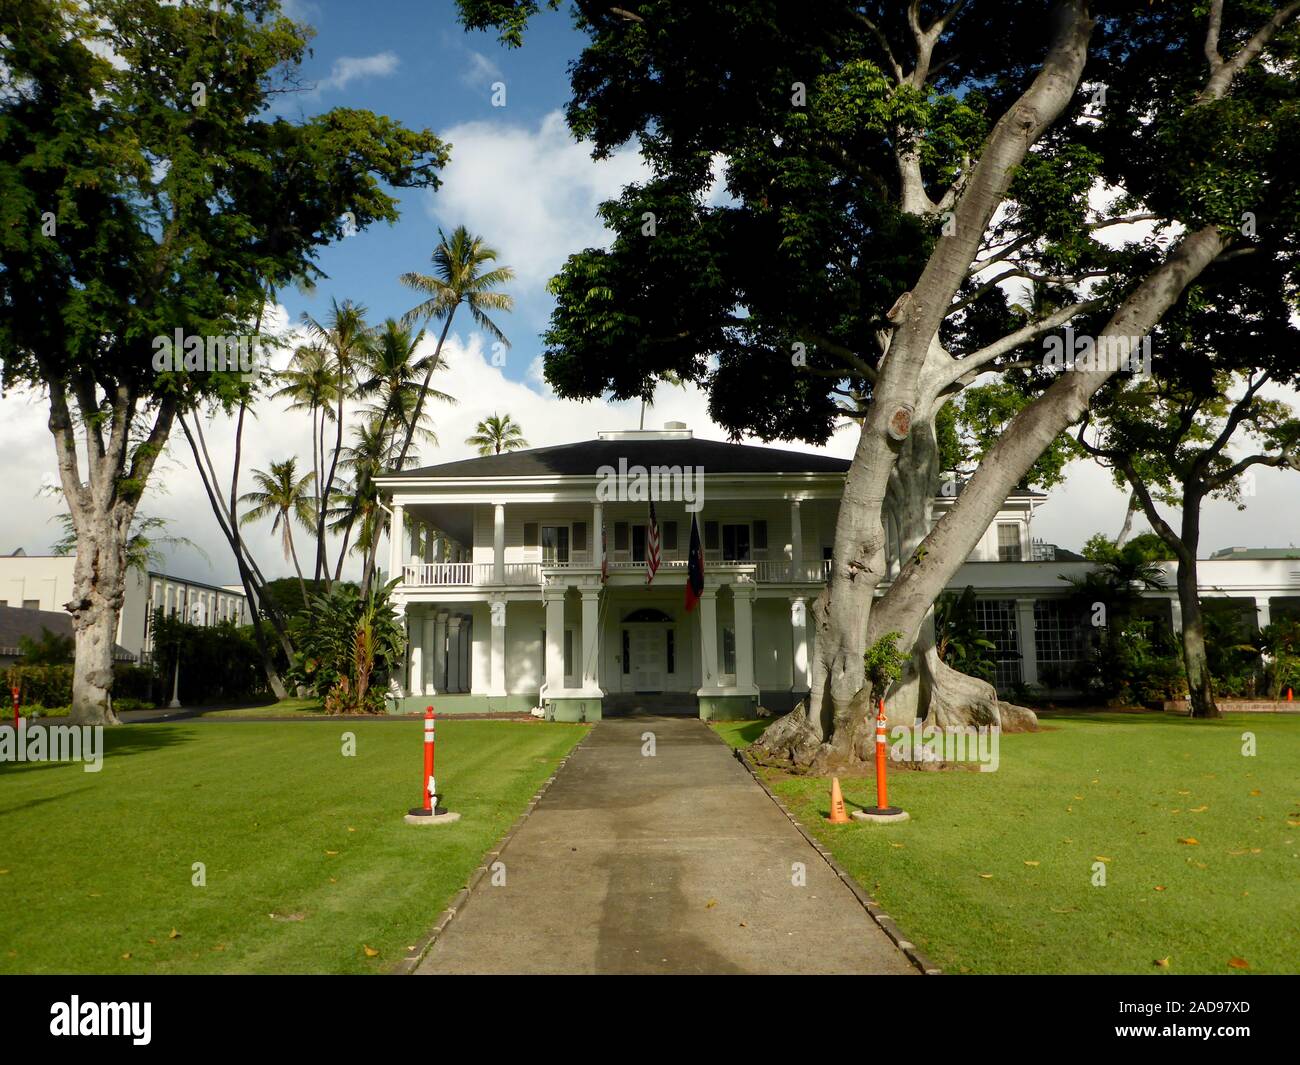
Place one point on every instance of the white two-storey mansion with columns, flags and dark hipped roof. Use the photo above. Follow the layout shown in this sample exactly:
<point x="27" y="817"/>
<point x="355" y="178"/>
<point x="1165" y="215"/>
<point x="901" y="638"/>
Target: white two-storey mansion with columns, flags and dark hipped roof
<point x="508" y="607"/>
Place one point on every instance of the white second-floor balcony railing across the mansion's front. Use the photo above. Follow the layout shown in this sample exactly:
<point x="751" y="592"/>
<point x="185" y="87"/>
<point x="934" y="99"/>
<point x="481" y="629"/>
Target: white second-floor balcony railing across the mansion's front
<point x="482" y="574"/>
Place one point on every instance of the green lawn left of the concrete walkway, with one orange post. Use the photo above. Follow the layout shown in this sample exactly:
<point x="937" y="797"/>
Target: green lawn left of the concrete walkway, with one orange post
<point x="309" y="861"/>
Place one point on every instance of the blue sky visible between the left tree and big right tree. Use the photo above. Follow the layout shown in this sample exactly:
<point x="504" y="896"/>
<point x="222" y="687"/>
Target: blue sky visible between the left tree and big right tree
<point x="411" y="60"/>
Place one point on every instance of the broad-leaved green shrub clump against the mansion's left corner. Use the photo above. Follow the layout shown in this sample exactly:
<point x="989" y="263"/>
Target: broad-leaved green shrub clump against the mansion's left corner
<point x="349" y="646"/>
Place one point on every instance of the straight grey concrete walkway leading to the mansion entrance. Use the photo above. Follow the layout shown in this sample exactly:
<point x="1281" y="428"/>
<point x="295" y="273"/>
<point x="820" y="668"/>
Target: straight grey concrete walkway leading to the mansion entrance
<point x="673" y="864"/>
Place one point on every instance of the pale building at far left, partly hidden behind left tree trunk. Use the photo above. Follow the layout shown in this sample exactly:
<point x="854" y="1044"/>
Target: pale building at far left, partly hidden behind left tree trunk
<point x="46" y="583"/>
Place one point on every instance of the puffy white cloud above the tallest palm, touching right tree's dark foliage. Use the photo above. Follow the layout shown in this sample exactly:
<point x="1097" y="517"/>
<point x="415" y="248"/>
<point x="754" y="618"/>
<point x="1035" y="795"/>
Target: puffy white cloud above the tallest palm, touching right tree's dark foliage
<point x="531" y="193"/>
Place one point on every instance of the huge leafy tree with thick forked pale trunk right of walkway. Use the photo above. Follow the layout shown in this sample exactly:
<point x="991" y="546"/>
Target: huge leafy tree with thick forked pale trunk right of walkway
<point x="891" y="172"/>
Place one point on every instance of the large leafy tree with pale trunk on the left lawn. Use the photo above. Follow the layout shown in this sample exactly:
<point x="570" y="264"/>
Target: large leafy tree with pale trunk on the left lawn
<point x="144" y="191"/>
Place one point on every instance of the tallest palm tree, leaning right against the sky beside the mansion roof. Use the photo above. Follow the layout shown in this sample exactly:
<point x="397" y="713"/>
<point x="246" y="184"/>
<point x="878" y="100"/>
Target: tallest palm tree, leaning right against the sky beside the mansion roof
<point x="458" y="279"/>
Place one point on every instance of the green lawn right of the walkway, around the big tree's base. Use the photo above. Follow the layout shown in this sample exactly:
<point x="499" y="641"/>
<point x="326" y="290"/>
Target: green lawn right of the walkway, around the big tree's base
<point x="1116" y="787"/>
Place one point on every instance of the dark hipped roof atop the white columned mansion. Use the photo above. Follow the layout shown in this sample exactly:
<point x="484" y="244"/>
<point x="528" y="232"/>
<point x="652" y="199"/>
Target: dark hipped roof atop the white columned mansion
<point x="587" y="457"/>
